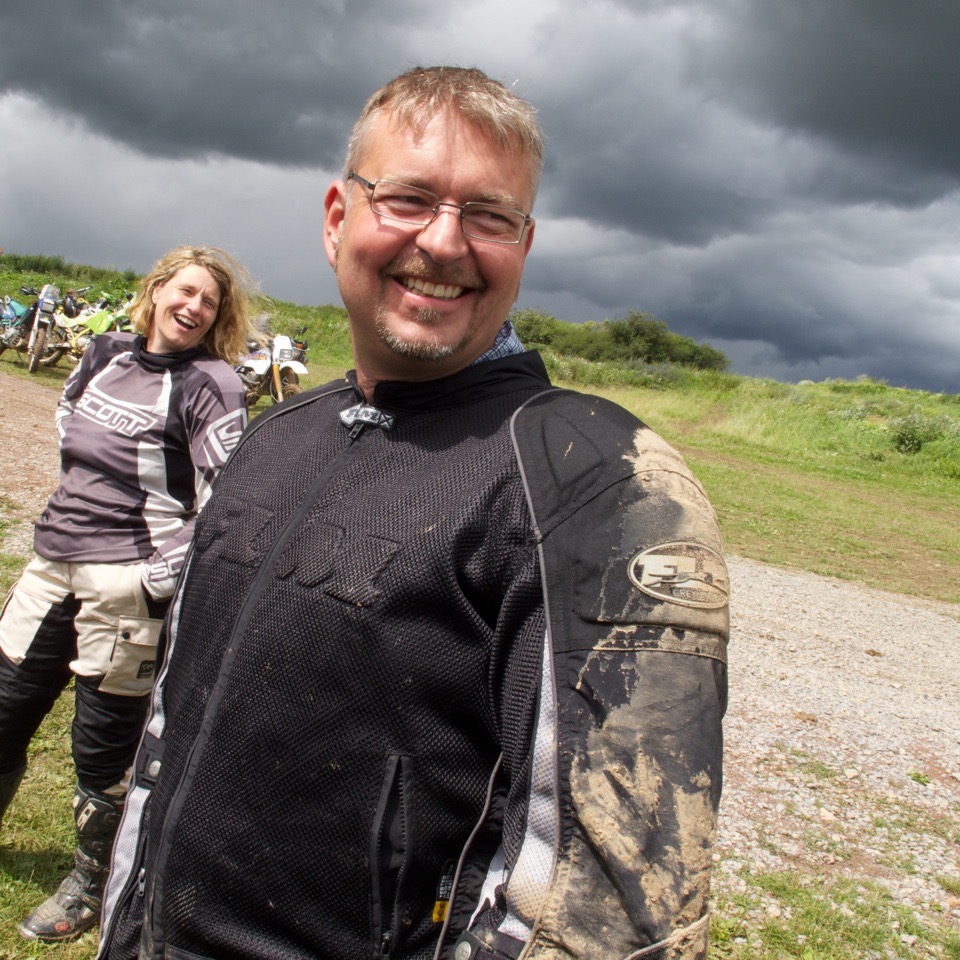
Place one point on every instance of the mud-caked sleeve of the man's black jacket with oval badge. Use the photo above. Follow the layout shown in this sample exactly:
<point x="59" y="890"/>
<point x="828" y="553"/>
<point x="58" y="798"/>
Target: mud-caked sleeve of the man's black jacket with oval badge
<point x="607" y="835"/>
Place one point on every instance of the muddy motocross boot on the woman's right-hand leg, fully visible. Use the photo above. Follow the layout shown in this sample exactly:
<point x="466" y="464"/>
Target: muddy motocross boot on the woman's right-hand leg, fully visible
<point x="75" y="907"/>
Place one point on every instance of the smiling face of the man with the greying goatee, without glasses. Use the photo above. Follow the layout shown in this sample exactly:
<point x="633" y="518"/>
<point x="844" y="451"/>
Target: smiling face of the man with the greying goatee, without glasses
<point x="425" y="302"/>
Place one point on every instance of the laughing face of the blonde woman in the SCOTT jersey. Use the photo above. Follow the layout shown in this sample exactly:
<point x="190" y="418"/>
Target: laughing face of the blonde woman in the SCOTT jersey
<point x="185" y="308"/>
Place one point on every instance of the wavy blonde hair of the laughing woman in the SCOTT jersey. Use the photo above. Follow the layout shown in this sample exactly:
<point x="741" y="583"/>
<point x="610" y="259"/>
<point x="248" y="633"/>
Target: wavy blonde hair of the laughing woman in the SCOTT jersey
<point x="227" y="337"/>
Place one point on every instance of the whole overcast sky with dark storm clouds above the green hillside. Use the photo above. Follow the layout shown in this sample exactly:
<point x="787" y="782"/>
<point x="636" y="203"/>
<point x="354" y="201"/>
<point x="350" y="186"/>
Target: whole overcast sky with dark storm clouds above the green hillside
<point x="779" y="178"/>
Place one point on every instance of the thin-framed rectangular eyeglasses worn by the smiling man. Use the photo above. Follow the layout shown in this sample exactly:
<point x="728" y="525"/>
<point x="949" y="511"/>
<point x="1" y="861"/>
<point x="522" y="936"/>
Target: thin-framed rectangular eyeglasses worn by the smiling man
<point x="417" y="208"/>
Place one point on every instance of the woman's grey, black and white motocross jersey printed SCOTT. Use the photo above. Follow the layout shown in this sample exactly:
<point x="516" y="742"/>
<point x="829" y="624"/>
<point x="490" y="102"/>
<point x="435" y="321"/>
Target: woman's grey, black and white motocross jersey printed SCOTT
<point x="142" y="437"/>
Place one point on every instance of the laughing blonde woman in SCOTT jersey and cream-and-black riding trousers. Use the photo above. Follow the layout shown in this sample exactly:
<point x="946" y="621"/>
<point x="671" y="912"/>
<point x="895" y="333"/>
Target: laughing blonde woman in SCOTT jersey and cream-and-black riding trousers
<point x="146" y="421"/>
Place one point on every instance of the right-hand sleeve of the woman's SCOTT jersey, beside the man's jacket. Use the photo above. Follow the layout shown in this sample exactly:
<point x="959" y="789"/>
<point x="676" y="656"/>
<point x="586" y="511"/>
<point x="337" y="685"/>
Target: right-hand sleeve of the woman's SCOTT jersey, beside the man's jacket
<point x="215" y="415"/>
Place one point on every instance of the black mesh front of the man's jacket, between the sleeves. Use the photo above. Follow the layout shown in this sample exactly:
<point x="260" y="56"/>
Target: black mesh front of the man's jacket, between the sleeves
<point x="346" y="611"/>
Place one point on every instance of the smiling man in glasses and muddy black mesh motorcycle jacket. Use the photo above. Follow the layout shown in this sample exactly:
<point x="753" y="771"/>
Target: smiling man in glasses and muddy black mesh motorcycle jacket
<point x="446" y="671"/>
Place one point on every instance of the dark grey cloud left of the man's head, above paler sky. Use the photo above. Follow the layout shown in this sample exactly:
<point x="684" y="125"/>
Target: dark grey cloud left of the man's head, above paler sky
<point x="183" y="79"/>
